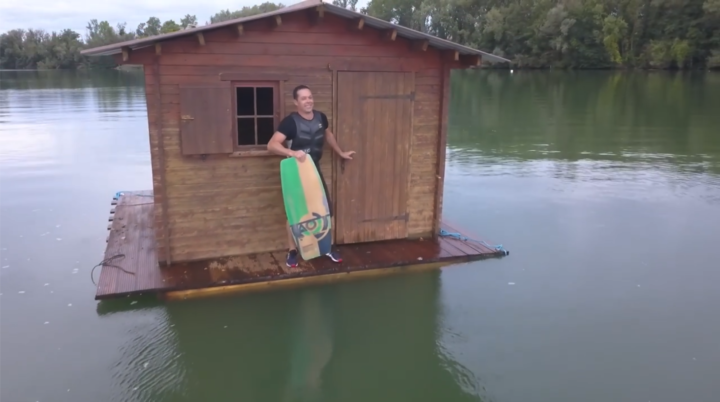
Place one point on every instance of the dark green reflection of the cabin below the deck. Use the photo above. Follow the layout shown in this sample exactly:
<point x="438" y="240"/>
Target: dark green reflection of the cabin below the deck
<point x="329" y="343"/>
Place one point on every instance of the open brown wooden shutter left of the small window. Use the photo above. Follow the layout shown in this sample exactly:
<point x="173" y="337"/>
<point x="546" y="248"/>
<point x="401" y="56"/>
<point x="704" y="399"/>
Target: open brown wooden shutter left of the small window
<point x="206" y="120"/>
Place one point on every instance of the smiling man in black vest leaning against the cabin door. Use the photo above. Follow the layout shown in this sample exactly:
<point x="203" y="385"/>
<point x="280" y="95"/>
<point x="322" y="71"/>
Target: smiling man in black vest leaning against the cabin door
<point x="307" y="129"/>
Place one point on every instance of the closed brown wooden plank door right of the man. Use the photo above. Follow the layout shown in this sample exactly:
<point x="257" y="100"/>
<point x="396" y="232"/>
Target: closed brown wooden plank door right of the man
<point x="374" y="113"/>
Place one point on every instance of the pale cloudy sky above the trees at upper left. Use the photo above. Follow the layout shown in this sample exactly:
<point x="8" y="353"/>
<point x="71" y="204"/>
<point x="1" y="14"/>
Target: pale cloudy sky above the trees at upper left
<point x="56" y="15"/>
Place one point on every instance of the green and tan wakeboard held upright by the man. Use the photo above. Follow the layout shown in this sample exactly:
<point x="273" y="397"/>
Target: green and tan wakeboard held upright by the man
<point x="306" y="207"/>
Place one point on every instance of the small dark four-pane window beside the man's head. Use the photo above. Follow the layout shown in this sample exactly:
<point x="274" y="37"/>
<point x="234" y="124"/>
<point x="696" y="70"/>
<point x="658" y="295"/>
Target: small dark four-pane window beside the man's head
<point x="256" y="113"/>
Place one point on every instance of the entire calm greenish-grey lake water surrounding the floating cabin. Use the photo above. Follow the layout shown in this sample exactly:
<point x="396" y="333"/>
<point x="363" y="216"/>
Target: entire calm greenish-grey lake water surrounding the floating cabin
<point x="604" y="186"/>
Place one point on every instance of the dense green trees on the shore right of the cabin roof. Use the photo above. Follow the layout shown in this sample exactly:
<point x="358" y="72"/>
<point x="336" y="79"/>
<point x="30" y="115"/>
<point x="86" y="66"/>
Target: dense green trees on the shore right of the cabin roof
<point x="571" y="33"/>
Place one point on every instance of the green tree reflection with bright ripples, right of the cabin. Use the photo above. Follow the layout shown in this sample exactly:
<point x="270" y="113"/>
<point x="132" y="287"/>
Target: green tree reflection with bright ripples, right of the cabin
<point x="640" y="130"/>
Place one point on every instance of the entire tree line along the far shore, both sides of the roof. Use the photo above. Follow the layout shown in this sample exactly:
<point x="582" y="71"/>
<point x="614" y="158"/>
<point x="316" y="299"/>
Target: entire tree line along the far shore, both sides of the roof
<point x="580" y="34"/>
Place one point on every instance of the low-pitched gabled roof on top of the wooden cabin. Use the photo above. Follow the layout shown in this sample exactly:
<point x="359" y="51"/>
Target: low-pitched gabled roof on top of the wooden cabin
<point x="403" y="32"/>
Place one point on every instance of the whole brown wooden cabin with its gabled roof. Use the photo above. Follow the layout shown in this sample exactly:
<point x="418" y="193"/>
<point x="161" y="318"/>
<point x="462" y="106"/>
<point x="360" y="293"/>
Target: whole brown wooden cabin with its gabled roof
<point x="216" y="94"/>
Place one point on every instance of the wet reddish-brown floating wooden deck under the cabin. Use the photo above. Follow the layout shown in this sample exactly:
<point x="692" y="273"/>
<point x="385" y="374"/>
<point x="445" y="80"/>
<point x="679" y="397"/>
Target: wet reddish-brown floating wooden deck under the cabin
<point x="130" y="266"/>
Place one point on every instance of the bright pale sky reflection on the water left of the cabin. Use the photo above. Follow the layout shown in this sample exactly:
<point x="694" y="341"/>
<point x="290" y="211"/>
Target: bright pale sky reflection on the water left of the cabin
<point x="55" y="125"/>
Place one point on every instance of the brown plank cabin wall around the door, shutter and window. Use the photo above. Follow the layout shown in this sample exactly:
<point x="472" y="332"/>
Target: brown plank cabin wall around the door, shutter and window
<point x="223" y="205"/>
